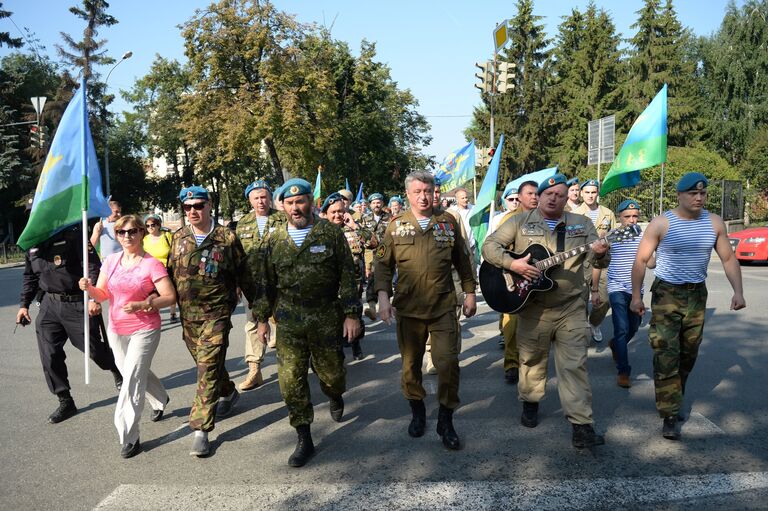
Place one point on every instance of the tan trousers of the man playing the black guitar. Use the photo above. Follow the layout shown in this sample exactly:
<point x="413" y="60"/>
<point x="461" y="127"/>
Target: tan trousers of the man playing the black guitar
<point x="564" y="329"/>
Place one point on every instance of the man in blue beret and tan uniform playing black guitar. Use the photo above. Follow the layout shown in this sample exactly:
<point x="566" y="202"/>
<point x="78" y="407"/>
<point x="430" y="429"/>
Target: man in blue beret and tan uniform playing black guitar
<point x="555" y="316"/>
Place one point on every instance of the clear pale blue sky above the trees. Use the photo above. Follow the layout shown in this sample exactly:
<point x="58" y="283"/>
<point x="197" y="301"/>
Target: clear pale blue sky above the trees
<point x="431" y="46"/>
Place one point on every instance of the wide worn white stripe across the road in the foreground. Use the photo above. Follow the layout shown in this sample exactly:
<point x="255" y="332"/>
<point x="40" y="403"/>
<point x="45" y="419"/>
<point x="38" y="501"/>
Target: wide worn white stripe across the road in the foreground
<point x="540" y="494"/>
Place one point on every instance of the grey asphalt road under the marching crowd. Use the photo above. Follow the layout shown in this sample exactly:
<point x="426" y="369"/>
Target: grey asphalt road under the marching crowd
<point x="369" y="462"/>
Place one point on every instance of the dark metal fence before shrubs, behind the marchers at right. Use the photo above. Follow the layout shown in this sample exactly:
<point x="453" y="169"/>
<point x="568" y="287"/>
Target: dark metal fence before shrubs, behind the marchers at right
<point x="724" y="197"/>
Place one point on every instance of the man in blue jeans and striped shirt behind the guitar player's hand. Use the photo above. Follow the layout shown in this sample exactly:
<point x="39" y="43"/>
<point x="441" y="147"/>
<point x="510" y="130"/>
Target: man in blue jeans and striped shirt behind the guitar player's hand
<point x="625" y="322"/>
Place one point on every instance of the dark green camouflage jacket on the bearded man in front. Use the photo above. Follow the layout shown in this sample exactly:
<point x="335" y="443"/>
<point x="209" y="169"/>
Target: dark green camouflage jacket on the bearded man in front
<point x="317" y="275"/>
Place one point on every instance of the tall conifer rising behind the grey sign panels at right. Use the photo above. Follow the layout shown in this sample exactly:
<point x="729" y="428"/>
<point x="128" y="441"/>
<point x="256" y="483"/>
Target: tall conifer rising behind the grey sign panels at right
<point x="588" y="71"/>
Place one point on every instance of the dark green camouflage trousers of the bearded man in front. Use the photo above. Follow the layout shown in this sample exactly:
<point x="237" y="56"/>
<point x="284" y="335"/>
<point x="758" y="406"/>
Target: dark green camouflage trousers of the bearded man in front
<point x="315" y="333"/>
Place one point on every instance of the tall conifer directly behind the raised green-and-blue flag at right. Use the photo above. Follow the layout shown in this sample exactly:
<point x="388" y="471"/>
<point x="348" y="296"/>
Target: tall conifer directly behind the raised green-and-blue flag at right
<point x="659" y="55"/>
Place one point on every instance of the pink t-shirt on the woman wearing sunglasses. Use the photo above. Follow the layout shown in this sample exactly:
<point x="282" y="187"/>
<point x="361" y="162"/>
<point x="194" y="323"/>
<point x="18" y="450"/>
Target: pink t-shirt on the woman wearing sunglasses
<point x="131" y="285"/>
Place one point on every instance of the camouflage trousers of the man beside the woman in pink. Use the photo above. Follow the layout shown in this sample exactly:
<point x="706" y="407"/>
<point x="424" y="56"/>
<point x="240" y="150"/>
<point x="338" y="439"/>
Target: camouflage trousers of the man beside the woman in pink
<point x="207" y="342"/>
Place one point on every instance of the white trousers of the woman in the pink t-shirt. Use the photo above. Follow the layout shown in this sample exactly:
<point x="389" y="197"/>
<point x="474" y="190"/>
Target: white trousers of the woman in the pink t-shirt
<point x="133" y="356"/>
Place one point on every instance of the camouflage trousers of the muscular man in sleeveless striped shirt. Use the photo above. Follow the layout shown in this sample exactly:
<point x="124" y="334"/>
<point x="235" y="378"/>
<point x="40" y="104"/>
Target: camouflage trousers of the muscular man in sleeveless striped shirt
<point x="676" y="328"/>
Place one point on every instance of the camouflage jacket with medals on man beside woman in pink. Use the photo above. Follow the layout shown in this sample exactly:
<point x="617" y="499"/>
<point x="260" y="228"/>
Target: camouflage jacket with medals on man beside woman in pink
<point x="207" y="277"/>
